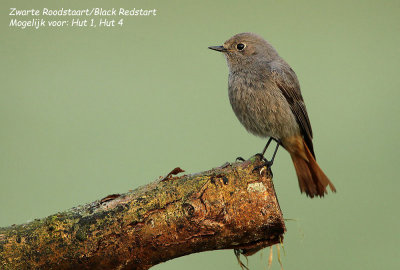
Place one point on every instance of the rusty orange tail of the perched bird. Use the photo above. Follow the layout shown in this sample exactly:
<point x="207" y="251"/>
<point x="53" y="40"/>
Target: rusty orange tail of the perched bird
<point x="312" y="179"/>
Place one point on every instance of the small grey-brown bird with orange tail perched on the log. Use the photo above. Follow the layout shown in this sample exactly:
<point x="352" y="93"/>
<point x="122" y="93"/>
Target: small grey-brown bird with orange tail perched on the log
<point x="265" y="96"/>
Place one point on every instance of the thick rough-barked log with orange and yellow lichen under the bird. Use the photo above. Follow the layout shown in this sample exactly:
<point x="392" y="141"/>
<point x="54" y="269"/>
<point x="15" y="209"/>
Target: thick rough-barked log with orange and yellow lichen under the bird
<point x="229" y="207"/>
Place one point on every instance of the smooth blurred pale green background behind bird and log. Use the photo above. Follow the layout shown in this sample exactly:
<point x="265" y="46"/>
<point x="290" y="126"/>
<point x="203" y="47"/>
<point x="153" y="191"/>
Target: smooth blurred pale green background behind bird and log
<point x="90" y="112"/>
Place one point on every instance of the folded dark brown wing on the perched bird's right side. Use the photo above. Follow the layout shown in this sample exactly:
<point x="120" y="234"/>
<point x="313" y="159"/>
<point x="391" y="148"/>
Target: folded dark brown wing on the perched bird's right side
<point x="286" y="80"/>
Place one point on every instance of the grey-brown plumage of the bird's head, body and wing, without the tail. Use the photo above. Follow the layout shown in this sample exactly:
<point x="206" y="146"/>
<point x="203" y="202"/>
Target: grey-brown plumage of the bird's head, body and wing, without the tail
<point x="264" y="91"/>
